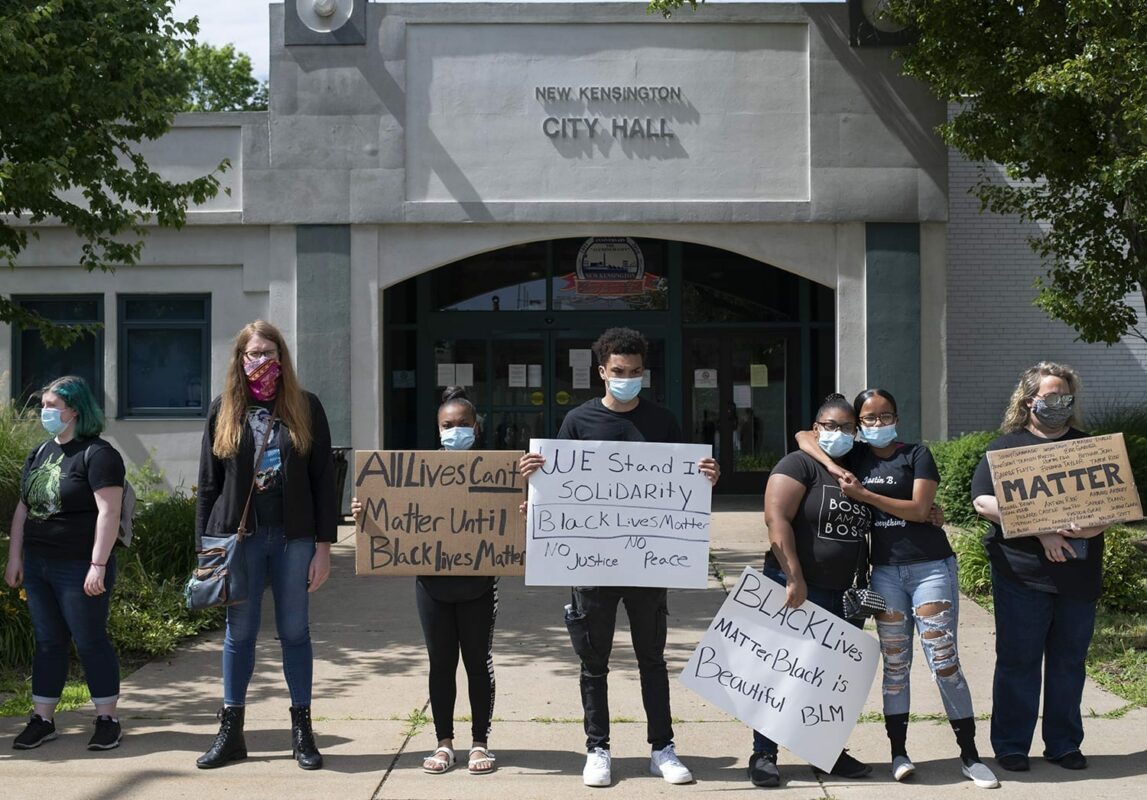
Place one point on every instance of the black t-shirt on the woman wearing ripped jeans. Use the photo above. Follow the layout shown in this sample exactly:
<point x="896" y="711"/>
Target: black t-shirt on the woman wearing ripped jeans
<point x="896" y="541"/>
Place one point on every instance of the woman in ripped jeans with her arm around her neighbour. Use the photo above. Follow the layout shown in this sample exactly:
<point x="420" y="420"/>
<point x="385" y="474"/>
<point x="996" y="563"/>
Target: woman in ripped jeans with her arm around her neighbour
<point x="914" y="569"/>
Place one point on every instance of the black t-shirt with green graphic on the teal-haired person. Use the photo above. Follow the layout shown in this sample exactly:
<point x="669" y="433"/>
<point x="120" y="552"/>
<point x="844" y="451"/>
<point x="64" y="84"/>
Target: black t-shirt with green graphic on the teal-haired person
<point x="58" y="488"/>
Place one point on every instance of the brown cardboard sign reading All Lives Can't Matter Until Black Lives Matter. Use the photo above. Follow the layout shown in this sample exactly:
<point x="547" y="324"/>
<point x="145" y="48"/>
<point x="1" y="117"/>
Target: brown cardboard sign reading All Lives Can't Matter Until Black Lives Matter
<point x="440" y="512"/>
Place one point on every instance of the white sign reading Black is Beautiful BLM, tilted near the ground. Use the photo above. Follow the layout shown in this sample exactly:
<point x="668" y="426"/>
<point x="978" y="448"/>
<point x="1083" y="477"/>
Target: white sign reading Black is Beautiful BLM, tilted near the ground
<point x="800" y="677"/>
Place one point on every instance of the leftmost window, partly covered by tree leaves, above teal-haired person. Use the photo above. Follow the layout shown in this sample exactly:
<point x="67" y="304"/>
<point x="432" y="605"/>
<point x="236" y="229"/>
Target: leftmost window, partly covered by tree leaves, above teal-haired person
<point x="35" y="364"/>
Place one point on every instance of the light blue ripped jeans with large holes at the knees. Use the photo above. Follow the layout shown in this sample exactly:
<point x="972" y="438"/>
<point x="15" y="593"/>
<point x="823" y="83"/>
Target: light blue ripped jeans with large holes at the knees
<point x="922" y="597"/>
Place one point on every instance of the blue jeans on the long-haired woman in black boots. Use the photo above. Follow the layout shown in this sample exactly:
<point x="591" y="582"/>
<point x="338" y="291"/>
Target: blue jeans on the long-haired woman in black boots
<point x="286" y="562"/>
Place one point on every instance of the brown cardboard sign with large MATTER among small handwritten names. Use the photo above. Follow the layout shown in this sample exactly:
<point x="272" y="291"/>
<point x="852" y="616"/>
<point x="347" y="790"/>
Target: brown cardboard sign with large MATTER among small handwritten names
<point x="1047" y="487"/>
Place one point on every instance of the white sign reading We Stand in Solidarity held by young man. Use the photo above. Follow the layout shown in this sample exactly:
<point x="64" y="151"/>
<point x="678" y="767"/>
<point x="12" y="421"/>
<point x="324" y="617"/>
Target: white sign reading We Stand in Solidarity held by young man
<point x="619" y="515"/>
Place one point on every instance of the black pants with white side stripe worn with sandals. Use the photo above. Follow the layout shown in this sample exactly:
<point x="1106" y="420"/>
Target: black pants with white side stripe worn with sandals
<point x="448" y="630"/>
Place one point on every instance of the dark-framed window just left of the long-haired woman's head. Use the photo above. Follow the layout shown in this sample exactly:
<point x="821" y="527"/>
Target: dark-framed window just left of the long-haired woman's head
<point x="165" y="355"/>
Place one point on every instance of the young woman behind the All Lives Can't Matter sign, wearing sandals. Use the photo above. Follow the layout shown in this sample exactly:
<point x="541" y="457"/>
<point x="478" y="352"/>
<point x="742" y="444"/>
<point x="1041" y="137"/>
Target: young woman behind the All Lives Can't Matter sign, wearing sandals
<point x="458" y="615"/>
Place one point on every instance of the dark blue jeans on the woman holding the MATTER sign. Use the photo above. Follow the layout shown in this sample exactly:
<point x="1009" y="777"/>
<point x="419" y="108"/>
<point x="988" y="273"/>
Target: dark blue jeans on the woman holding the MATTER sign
<point x="1034" y="631"/>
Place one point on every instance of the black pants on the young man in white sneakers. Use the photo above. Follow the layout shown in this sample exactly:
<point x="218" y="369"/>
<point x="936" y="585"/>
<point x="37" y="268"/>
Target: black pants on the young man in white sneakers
<point x="591" y="622"/>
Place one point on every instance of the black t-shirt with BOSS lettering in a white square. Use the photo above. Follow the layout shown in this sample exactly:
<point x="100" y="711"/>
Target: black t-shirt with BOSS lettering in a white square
<point x="831" y="531"/>
